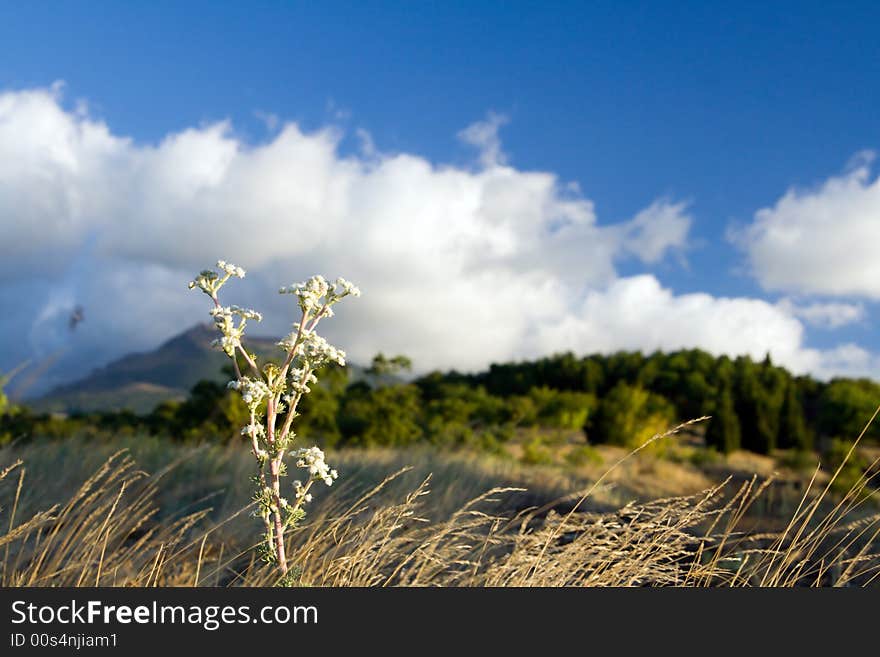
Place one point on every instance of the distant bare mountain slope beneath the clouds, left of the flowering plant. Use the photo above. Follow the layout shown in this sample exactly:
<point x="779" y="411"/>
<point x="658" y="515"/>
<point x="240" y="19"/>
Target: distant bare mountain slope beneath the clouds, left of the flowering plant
<point x="142" y="380"/>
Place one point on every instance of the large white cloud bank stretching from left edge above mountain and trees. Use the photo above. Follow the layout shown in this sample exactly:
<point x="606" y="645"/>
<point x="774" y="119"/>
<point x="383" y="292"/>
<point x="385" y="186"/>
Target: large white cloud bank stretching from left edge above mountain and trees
<point x="459" y="266"/>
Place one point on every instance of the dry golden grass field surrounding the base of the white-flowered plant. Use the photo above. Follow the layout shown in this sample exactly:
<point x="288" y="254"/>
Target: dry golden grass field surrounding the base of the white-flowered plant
<point x="147" y="512"/>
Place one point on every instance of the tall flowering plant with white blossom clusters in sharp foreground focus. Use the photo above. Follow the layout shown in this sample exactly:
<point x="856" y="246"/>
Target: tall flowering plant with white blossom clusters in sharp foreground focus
<point x="272" y="394"/>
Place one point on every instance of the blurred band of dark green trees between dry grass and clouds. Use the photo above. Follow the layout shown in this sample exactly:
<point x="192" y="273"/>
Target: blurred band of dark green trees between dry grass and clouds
<point x="621" y="399"/>
